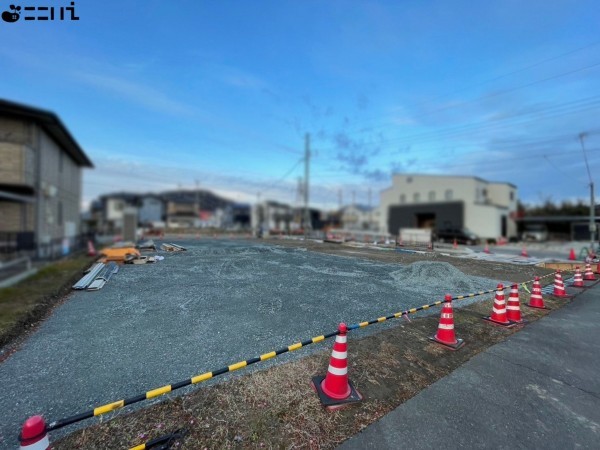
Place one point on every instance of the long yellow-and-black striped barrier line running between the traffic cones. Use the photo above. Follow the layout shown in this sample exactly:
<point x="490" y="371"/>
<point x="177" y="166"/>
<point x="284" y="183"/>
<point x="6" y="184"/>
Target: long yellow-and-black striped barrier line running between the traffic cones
<point x="103" y="409"/>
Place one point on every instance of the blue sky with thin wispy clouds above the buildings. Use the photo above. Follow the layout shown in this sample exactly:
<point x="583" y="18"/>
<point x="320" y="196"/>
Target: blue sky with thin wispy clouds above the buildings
<point x="221" y="94"/>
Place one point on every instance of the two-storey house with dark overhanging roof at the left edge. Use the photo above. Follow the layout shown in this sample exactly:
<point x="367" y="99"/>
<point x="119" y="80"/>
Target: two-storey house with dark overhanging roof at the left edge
<point x="41" y="167"/>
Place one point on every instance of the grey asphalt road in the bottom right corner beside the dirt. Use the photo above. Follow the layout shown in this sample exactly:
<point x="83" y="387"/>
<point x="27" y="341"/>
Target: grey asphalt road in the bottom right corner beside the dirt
<point x="538" y="389"/>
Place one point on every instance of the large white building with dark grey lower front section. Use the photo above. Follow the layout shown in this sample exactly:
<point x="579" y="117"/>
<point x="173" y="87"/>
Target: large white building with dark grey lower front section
<point x="445" y="201"/>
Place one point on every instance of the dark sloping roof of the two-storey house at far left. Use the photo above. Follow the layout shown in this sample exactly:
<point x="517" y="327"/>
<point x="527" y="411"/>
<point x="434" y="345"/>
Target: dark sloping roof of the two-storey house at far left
<point x="52" y="124"/>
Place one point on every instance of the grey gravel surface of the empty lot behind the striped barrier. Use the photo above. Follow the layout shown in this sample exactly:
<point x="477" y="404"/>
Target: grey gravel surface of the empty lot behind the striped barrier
<point x="196" y="311"/>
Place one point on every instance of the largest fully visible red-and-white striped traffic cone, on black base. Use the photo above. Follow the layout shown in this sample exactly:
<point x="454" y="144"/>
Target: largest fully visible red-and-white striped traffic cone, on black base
<point x="335" y="389"/>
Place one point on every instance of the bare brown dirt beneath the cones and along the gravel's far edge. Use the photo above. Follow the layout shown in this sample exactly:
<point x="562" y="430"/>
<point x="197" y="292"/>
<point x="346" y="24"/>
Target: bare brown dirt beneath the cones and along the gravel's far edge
<point x="277" y="408"/>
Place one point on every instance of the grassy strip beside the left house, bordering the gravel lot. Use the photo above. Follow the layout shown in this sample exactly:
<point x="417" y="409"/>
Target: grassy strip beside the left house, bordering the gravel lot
<point x="23" y="302"/>
